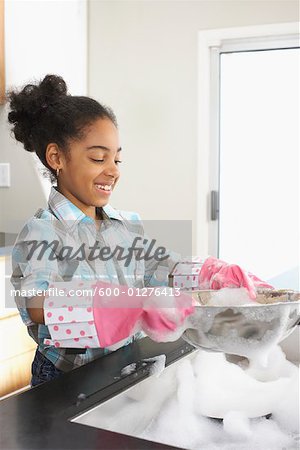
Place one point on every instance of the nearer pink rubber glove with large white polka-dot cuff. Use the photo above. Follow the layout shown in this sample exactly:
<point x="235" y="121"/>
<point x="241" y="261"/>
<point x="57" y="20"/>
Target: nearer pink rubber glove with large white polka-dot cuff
<point x="101" y="321"/>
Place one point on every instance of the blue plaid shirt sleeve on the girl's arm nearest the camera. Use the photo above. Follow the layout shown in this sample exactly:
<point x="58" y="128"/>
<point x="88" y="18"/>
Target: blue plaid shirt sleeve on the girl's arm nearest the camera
<point x="34" y="263"/>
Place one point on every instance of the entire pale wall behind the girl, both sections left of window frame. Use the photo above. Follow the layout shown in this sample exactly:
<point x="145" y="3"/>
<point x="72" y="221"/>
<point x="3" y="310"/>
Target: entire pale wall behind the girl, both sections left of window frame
<point x="143" y="62"/>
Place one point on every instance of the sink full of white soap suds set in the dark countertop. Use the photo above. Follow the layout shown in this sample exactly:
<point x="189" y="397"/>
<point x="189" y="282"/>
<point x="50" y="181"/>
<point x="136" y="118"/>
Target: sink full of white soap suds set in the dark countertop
<point x="169" y="408"/>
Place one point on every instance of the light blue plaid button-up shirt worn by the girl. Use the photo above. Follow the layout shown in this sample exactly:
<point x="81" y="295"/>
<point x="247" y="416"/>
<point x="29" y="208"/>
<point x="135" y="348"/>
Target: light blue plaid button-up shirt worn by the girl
<point x="65" y="224"/>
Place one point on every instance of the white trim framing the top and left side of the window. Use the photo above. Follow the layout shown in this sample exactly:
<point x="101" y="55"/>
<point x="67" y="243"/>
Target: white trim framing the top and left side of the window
<point x="224" y="38"/>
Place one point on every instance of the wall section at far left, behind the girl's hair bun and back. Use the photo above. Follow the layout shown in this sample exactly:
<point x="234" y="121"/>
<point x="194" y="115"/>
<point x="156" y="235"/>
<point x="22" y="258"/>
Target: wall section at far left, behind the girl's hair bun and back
<point x="40" y="37"/>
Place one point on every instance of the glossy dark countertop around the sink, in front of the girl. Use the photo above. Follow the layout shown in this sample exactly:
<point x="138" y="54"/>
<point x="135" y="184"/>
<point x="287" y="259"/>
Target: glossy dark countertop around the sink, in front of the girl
<point x="40" y="417"/>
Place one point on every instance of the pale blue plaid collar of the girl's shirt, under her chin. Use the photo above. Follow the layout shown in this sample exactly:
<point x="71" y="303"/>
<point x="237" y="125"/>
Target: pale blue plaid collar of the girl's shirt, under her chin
<point x="70" y="214"/>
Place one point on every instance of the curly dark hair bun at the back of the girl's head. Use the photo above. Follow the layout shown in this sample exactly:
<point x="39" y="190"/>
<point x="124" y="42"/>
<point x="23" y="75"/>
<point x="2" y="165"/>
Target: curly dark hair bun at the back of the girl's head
<point x="27" y="105"/>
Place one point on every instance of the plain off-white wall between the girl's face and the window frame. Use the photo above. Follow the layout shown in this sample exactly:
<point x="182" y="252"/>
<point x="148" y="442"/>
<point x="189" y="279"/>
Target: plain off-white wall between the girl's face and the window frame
<point x="143" y="63"/>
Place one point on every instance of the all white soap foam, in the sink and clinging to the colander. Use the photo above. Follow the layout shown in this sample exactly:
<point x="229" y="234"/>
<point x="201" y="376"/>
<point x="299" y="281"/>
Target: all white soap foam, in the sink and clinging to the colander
<point x="212" y="386"/>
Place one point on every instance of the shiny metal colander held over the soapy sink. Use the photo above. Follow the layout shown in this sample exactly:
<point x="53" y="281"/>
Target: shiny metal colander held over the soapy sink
<point x="247" y="330"/>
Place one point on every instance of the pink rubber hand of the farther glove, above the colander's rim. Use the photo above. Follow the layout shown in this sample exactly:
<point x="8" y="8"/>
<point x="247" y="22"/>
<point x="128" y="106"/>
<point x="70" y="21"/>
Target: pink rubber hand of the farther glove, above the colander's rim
<point x="217" y="274"/>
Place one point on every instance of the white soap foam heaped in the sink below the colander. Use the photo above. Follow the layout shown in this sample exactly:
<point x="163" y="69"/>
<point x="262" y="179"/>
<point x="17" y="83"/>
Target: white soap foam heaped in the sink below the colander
<point x="181" y="423"/>
